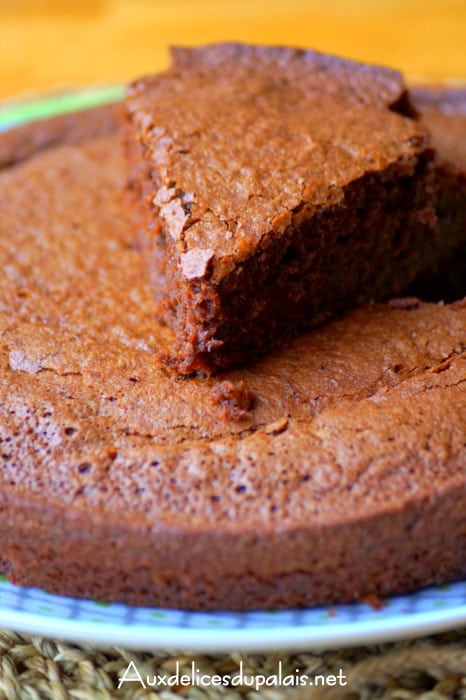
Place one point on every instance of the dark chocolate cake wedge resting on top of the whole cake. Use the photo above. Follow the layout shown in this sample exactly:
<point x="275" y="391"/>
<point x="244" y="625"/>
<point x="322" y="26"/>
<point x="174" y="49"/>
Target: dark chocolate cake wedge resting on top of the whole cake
<point x="280" y="185"/>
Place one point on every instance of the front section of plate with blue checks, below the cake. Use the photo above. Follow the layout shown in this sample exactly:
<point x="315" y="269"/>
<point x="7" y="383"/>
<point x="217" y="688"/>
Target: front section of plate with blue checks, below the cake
<point x="32" y="609"/>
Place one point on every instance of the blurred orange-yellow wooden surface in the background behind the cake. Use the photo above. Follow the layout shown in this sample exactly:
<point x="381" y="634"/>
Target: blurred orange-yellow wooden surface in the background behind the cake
<point x="50" y="44"/>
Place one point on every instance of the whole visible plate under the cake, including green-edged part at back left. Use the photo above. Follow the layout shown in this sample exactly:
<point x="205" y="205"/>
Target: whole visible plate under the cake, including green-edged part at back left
<point x="36" y="612"/>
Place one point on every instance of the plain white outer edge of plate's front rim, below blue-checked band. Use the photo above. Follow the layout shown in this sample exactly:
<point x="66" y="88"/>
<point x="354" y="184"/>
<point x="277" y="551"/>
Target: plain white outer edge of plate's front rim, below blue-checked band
<point x="288" y="637"/>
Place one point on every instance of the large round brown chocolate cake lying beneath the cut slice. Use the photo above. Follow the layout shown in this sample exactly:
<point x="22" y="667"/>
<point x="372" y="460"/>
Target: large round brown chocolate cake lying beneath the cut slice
<point x="344" y="476"/>
